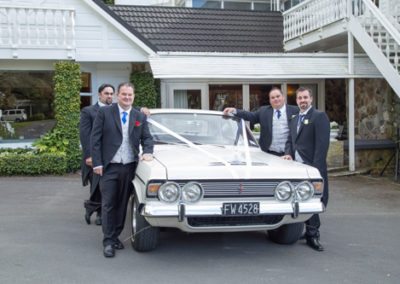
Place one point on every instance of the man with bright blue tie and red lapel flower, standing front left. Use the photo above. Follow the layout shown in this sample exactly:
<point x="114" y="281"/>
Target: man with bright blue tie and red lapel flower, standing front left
<point x="117" y="132"/>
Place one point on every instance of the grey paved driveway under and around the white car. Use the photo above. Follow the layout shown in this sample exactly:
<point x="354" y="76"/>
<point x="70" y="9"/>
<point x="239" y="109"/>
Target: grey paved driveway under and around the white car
<point x="44" y="239"/>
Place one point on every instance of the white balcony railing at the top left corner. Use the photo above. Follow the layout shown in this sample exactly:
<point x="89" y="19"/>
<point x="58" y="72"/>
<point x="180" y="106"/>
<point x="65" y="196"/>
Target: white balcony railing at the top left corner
<point x="33" y="27"/>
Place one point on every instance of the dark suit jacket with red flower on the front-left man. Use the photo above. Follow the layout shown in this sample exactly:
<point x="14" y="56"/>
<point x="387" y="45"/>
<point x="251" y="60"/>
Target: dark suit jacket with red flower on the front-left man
<point x="107" y="135"/>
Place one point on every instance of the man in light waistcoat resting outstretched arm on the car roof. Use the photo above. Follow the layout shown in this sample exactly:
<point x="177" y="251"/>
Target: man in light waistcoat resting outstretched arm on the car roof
<point x="274" y="121"/>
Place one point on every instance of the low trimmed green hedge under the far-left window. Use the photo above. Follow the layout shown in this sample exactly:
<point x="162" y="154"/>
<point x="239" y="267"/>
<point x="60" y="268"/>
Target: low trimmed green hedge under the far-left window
<point x="28" y="162"/>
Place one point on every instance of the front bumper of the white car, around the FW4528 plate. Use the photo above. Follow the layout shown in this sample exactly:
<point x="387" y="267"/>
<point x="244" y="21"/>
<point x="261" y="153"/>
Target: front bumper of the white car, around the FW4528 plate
<point x="180" y="215"/>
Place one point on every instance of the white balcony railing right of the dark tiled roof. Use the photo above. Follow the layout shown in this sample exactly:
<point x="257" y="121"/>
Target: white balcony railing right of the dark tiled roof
<point x="312" y="15"/>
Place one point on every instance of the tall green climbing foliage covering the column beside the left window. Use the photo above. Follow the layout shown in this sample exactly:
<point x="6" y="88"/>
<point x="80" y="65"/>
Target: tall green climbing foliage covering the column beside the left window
<point x="64" y="138"/>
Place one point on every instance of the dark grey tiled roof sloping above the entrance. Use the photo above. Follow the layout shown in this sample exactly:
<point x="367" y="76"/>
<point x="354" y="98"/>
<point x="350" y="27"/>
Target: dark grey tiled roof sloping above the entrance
<point x="201" y="30"/>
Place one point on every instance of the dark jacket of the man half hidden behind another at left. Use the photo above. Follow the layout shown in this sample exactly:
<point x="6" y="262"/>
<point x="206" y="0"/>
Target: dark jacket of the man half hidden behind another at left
<point x="88" y="114"/>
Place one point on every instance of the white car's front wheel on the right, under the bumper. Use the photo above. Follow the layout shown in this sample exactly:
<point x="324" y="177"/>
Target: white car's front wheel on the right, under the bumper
<point x="287" y="234"/>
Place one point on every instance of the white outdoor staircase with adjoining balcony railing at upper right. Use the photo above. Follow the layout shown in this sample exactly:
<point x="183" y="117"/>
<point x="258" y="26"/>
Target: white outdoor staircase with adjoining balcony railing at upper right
<point x="377" y="31"/>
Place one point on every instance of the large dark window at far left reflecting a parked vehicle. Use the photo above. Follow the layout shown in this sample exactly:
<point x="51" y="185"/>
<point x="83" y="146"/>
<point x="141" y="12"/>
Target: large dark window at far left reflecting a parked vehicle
<point x="26" y="101"/>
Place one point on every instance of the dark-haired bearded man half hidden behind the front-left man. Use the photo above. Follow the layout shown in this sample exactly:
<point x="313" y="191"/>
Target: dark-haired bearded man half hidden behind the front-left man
<point x="88" y="114"/>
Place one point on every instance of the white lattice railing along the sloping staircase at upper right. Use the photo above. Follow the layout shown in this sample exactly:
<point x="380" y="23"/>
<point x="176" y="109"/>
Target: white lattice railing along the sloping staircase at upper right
<point x="380" y="29"/>
